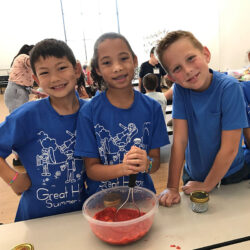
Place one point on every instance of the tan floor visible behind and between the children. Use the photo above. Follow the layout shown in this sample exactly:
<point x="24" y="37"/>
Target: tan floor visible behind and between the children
<point x="9" y="200"/>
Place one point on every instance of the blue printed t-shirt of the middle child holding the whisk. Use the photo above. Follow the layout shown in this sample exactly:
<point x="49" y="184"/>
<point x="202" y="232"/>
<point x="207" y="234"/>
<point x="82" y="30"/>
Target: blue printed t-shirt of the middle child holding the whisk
<point x="109" y="132"/>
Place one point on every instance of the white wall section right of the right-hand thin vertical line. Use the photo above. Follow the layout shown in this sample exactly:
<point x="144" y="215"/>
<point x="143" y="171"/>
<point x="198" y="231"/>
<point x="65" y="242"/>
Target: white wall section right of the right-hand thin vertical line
<point x="221" y="25"/>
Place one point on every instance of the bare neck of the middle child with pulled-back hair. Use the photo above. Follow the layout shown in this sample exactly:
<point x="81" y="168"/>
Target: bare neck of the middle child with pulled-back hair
<point x="121" y="98"/>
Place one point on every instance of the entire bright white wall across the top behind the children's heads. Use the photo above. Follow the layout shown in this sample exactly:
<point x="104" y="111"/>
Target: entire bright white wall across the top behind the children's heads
<point x="221" y="25"/>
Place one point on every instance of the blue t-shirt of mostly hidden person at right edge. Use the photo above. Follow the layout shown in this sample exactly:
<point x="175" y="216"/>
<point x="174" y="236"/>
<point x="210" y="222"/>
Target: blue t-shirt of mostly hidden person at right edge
<point x="246" y="90"/>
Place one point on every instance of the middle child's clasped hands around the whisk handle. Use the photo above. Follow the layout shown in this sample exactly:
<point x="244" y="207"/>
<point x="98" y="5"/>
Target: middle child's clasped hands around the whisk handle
<point x="135" y="161"/>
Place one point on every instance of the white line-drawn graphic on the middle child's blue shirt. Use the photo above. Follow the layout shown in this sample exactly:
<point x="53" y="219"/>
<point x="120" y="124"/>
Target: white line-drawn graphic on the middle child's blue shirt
<point x="113" y="148"/>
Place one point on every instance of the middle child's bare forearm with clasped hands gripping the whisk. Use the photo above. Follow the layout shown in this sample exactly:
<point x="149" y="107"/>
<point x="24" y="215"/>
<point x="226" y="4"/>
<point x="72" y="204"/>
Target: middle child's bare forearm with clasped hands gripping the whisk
<point x="134" y="161"/>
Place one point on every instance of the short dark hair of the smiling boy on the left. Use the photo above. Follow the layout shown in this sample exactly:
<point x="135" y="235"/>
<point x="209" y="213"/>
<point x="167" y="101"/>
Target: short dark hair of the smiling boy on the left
<point x="51" y="47"/>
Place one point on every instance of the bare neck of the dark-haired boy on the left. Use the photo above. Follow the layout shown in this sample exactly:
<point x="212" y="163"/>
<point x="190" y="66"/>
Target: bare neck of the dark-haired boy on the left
<point x="65" y="106"/>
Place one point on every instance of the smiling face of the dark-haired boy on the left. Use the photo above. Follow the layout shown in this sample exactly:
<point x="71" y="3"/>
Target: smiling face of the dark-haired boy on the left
<point x="56" y="76"/>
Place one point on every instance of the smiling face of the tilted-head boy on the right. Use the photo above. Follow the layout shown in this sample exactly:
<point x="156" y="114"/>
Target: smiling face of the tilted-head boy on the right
<point x="188" y="65"/>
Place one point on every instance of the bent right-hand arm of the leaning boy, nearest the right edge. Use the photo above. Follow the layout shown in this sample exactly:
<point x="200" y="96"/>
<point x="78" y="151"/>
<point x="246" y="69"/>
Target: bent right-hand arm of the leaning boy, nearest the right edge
<point x="230" y="140"/>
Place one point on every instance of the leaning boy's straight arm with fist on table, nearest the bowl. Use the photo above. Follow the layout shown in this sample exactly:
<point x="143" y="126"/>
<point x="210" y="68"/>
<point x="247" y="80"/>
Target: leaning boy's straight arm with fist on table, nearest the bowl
<point x="180" y="138"/>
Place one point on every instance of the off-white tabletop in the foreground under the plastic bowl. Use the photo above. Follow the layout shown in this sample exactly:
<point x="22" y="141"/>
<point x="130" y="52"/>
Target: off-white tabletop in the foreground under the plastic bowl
<point x="227" y="218"/>
